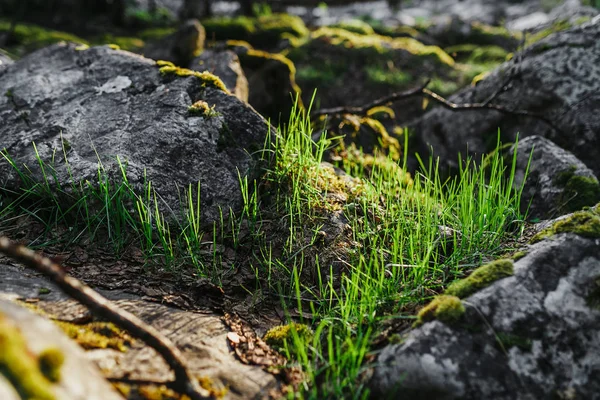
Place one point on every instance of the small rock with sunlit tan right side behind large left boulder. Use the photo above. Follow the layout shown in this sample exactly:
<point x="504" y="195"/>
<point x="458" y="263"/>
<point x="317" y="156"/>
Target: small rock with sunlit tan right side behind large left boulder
<point x="226" y="65"/>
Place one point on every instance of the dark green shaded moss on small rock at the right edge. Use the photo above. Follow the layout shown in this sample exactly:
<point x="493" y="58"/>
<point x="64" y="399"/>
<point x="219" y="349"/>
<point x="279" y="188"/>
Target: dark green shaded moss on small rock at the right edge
<point x="578" y="191"/>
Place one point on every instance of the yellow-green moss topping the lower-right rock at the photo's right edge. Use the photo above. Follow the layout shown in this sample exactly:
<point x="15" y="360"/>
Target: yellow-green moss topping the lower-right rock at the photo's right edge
<point x="584" y="223"/>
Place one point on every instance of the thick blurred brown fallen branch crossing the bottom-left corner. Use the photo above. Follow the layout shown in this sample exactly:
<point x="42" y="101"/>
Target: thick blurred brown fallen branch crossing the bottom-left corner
<point x="184" y="383"/>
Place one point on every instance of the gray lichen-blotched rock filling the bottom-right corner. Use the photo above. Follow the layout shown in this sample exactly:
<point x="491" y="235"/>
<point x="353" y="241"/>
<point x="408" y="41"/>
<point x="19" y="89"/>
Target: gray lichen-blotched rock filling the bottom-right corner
<point x="530" y="336"/>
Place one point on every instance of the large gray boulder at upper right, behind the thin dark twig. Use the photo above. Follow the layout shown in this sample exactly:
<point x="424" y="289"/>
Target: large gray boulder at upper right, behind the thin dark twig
<point x="558" y="77"/>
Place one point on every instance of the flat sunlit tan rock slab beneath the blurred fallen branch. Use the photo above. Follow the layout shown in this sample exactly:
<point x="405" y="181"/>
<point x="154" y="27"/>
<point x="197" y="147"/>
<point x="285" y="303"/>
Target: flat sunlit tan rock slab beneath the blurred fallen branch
<point x="201" y="336"/>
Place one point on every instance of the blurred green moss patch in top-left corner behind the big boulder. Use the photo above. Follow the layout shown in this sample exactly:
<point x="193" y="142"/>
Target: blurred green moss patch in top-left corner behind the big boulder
<point x="29" y="37"/>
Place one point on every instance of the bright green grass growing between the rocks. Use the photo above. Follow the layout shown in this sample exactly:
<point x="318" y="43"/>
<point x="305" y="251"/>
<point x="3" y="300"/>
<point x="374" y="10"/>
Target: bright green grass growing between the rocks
<point x="408" y="239"/>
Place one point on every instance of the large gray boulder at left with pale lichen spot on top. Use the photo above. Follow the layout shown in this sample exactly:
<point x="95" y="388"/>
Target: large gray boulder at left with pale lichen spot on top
<point x="103" y="103"/>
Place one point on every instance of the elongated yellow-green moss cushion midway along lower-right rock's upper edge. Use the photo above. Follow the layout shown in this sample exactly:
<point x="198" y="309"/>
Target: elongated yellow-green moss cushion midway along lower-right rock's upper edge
<point x="481" y="278"/>
